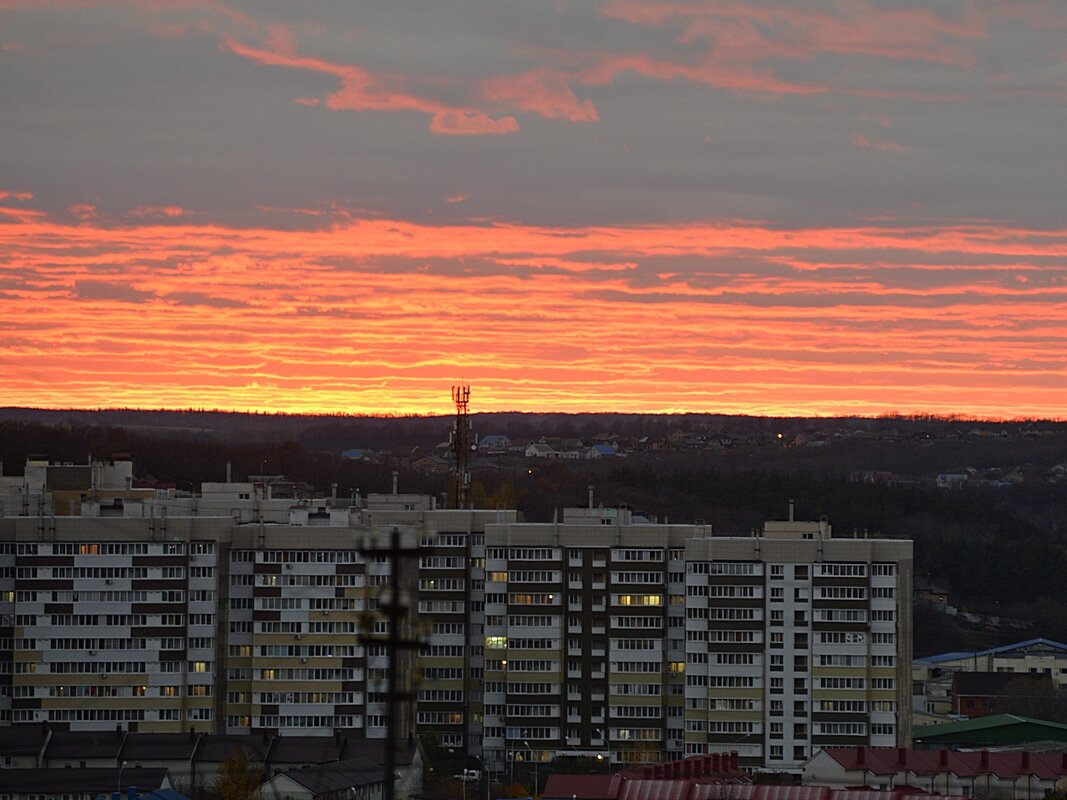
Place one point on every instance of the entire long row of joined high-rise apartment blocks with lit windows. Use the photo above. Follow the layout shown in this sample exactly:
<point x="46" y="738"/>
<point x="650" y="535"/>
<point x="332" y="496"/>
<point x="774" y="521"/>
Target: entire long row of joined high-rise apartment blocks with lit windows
<point x="601" y="634"/>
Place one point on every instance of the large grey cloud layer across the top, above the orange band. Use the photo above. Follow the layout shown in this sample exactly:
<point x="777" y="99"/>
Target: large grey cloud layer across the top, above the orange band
<point x="126" y="111"/>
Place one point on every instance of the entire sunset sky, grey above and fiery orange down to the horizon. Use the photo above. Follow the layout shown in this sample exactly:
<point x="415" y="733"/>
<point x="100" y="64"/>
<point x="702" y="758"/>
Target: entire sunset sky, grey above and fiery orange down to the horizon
<point x="781" y="209"/>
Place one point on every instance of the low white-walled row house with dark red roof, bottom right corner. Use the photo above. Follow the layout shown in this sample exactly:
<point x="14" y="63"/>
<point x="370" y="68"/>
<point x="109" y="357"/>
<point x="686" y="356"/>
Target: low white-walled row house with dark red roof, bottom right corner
<point x="995" y="776"/>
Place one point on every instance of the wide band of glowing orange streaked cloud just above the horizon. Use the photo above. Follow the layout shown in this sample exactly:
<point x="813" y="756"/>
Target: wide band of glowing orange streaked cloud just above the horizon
<point x="374" y="315"/>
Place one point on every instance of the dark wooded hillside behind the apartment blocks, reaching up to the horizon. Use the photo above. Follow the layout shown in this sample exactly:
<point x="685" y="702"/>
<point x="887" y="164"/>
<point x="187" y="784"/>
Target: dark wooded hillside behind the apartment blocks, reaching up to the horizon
<point x="999" y="550"/>
